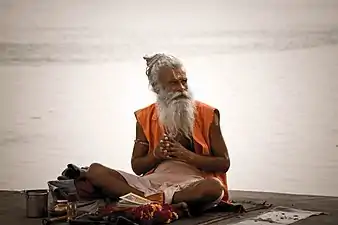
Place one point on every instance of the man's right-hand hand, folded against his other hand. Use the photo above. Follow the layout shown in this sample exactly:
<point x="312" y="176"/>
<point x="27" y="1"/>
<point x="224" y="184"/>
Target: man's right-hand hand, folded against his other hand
<point x="178" y="152"/>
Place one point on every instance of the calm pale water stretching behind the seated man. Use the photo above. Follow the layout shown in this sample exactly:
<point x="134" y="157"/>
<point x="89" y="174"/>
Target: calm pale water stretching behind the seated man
<point x="71" y="75"/>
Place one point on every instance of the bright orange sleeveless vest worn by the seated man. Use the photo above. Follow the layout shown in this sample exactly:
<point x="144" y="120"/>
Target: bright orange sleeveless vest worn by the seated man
<point x="148" y="119"/>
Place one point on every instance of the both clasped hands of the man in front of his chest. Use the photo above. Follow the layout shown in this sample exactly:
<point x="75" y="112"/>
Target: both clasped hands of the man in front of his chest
<point x="171" y="149"/>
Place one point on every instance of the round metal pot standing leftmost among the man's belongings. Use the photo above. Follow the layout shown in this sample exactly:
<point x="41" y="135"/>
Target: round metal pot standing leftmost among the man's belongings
<point x="36" y="203"/>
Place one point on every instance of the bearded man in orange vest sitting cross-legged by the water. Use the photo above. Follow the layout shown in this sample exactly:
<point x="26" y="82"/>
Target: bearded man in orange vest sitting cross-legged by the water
<point x="179" y="152"/>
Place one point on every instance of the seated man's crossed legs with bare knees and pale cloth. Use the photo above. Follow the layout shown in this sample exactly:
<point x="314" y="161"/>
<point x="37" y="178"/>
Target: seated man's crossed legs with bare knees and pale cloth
<point x="199" y="194"/>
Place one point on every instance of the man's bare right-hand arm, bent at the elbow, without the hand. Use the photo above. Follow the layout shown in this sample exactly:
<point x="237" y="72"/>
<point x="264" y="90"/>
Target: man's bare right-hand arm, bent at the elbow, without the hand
<point x="220" y="161"/>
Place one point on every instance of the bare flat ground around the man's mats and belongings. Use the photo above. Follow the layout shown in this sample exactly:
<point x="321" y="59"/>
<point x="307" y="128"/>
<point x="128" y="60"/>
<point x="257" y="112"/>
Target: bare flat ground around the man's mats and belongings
<point x="12" y="207"/>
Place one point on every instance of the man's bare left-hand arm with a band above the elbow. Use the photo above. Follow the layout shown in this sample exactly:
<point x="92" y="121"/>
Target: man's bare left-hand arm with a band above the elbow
<point x="141" y="161"/>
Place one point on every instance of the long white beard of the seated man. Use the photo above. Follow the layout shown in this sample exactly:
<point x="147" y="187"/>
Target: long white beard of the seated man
<point x="176" y="113"/>
